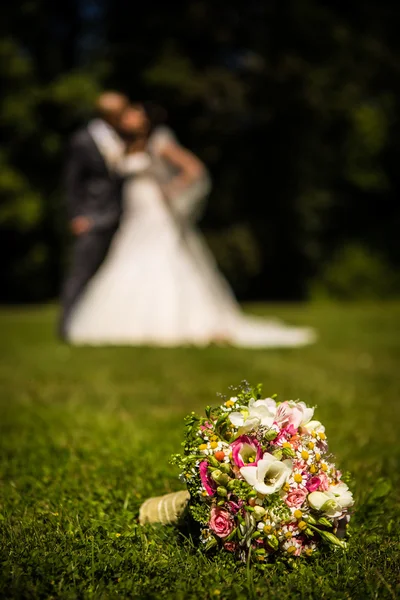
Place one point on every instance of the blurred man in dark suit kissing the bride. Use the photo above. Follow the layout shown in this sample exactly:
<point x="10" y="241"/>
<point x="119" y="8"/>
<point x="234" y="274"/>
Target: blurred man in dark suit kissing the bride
<point x="93" y="196"/>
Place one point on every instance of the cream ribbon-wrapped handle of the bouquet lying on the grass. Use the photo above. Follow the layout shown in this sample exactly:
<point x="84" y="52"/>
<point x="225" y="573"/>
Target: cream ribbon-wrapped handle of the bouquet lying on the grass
<point x="167" y="510"/>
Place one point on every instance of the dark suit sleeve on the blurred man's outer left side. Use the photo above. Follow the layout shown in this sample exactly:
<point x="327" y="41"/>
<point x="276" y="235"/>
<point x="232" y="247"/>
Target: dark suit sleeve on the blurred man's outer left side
<point x="73" y="177"/>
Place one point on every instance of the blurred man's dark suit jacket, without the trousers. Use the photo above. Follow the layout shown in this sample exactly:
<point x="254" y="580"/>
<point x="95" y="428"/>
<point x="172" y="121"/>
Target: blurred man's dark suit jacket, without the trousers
<point x="91" y="190"/>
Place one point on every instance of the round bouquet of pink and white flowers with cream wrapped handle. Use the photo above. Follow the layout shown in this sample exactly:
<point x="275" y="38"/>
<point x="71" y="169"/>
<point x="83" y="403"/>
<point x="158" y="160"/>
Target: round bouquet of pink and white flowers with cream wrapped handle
<point x="260" y="479"/>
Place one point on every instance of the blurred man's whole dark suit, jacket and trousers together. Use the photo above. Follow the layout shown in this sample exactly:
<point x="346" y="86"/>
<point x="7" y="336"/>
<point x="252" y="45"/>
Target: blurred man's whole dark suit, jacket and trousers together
<point x="93" y="190"/>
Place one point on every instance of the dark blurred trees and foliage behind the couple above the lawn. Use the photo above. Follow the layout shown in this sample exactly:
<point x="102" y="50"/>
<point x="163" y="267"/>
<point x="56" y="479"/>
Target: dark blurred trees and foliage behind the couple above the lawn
<point x="294" y="106"/>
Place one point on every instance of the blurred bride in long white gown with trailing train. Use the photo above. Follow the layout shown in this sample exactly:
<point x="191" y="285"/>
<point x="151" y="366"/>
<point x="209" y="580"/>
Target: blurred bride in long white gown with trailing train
<point x="159" y="284"/>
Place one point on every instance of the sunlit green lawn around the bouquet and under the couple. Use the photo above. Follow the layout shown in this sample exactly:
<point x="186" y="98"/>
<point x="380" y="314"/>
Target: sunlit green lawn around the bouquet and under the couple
<point x="86" y="435"/>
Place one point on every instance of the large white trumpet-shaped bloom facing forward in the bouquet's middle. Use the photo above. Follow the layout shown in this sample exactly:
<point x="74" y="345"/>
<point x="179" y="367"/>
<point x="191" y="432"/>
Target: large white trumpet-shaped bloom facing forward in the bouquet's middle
<point x="269" y="475"/>
